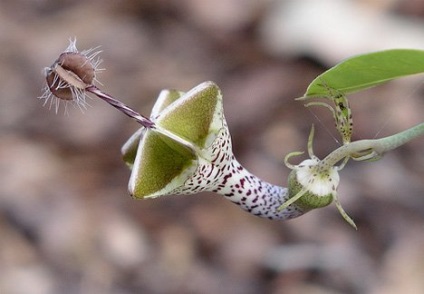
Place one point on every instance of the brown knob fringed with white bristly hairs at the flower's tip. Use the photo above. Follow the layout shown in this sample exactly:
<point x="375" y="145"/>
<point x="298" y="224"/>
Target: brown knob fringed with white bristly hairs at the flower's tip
<point x="69" y="76"/>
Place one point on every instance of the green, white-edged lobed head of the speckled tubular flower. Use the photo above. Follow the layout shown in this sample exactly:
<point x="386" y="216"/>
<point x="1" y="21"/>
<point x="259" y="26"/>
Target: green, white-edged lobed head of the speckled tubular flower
<point x="167" y="155"/>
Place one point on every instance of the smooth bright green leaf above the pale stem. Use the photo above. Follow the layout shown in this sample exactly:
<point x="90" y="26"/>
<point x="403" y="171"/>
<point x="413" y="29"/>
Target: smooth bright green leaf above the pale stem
<point x="366" y="71"/>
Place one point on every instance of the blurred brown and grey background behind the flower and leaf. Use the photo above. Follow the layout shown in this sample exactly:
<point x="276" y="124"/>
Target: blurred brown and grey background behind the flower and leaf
<point x="67" y="224"/>
